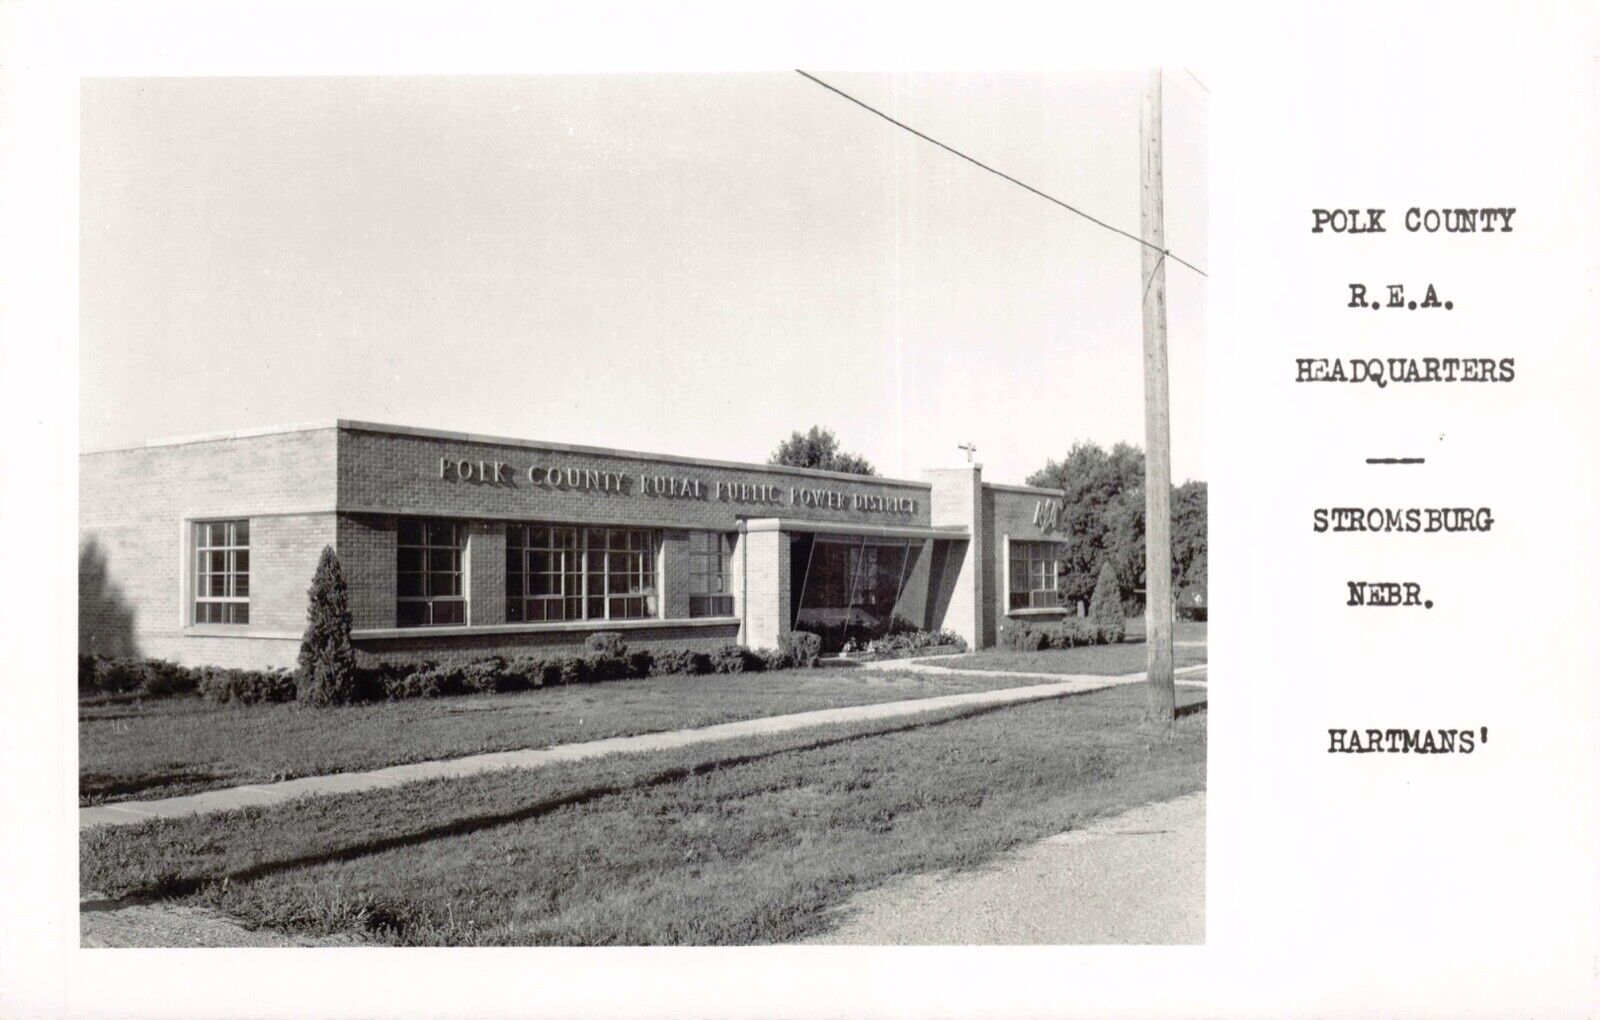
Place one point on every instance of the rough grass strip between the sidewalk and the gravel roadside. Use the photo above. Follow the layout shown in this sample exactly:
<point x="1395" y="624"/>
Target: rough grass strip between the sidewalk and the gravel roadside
<point x="751" y="842"/>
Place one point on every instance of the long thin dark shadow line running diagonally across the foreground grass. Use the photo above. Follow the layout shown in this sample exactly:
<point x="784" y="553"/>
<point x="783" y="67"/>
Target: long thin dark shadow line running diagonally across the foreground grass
<point x="178" y="887"/>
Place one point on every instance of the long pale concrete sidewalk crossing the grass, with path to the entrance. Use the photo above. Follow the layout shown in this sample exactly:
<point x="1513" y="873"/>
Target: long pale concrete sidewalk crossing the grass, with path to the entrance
<point x="129" y="813"/>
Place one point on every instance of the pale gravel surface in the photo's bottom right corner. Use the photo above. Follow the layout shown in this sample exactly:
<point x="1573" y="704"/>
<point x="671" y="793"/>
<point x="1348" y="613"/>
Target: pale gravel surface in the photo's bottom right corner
<point x="1137" y="879"/>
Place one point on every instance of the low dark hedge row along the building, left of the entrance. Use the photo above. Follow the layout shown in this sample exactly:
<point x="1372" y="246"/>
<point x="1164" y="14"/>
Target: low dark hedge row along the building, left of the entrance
<point x="606" y="658"/>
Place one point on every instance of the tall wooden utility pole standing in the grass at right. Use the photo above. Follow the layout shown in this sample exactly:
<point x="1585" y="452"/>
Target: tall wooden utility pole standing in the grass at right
<point x="1162" y="698"/>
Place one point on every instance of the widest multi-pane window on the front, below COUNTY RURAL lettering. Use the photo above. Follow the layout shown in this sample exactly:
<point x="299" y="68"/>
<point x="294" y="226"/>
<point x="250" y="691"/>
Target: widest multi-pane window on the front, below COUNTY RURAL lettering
<point x="558" y="573"/>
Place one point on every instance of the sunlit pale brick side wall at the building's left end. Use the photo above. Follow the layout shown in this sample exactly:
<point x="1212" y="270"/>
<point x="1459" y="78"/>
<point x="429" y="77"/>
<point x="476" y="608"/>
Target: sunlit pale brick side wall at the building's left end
<point x="134" y="557"/>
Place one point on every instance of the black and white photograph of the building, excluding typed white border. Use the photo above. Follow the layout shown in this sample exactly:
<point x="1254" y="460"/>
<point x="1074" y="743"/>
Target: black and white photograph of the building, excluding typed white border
<point x="644" y="511"/>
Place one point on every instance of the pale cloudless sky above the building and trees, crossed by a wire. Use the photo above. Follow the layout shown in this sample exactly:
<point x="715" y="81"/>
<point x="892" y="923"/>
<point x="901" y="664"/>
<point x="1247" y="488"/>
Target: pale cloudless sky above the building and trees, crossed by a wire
<point x="690" y="265"/>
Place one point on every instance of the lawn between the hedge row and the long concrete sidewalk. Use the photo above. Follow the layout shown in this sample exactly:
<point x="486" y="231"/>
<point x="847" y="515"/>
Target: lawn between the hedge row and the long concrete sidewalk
<point x="182" y="746"/>
